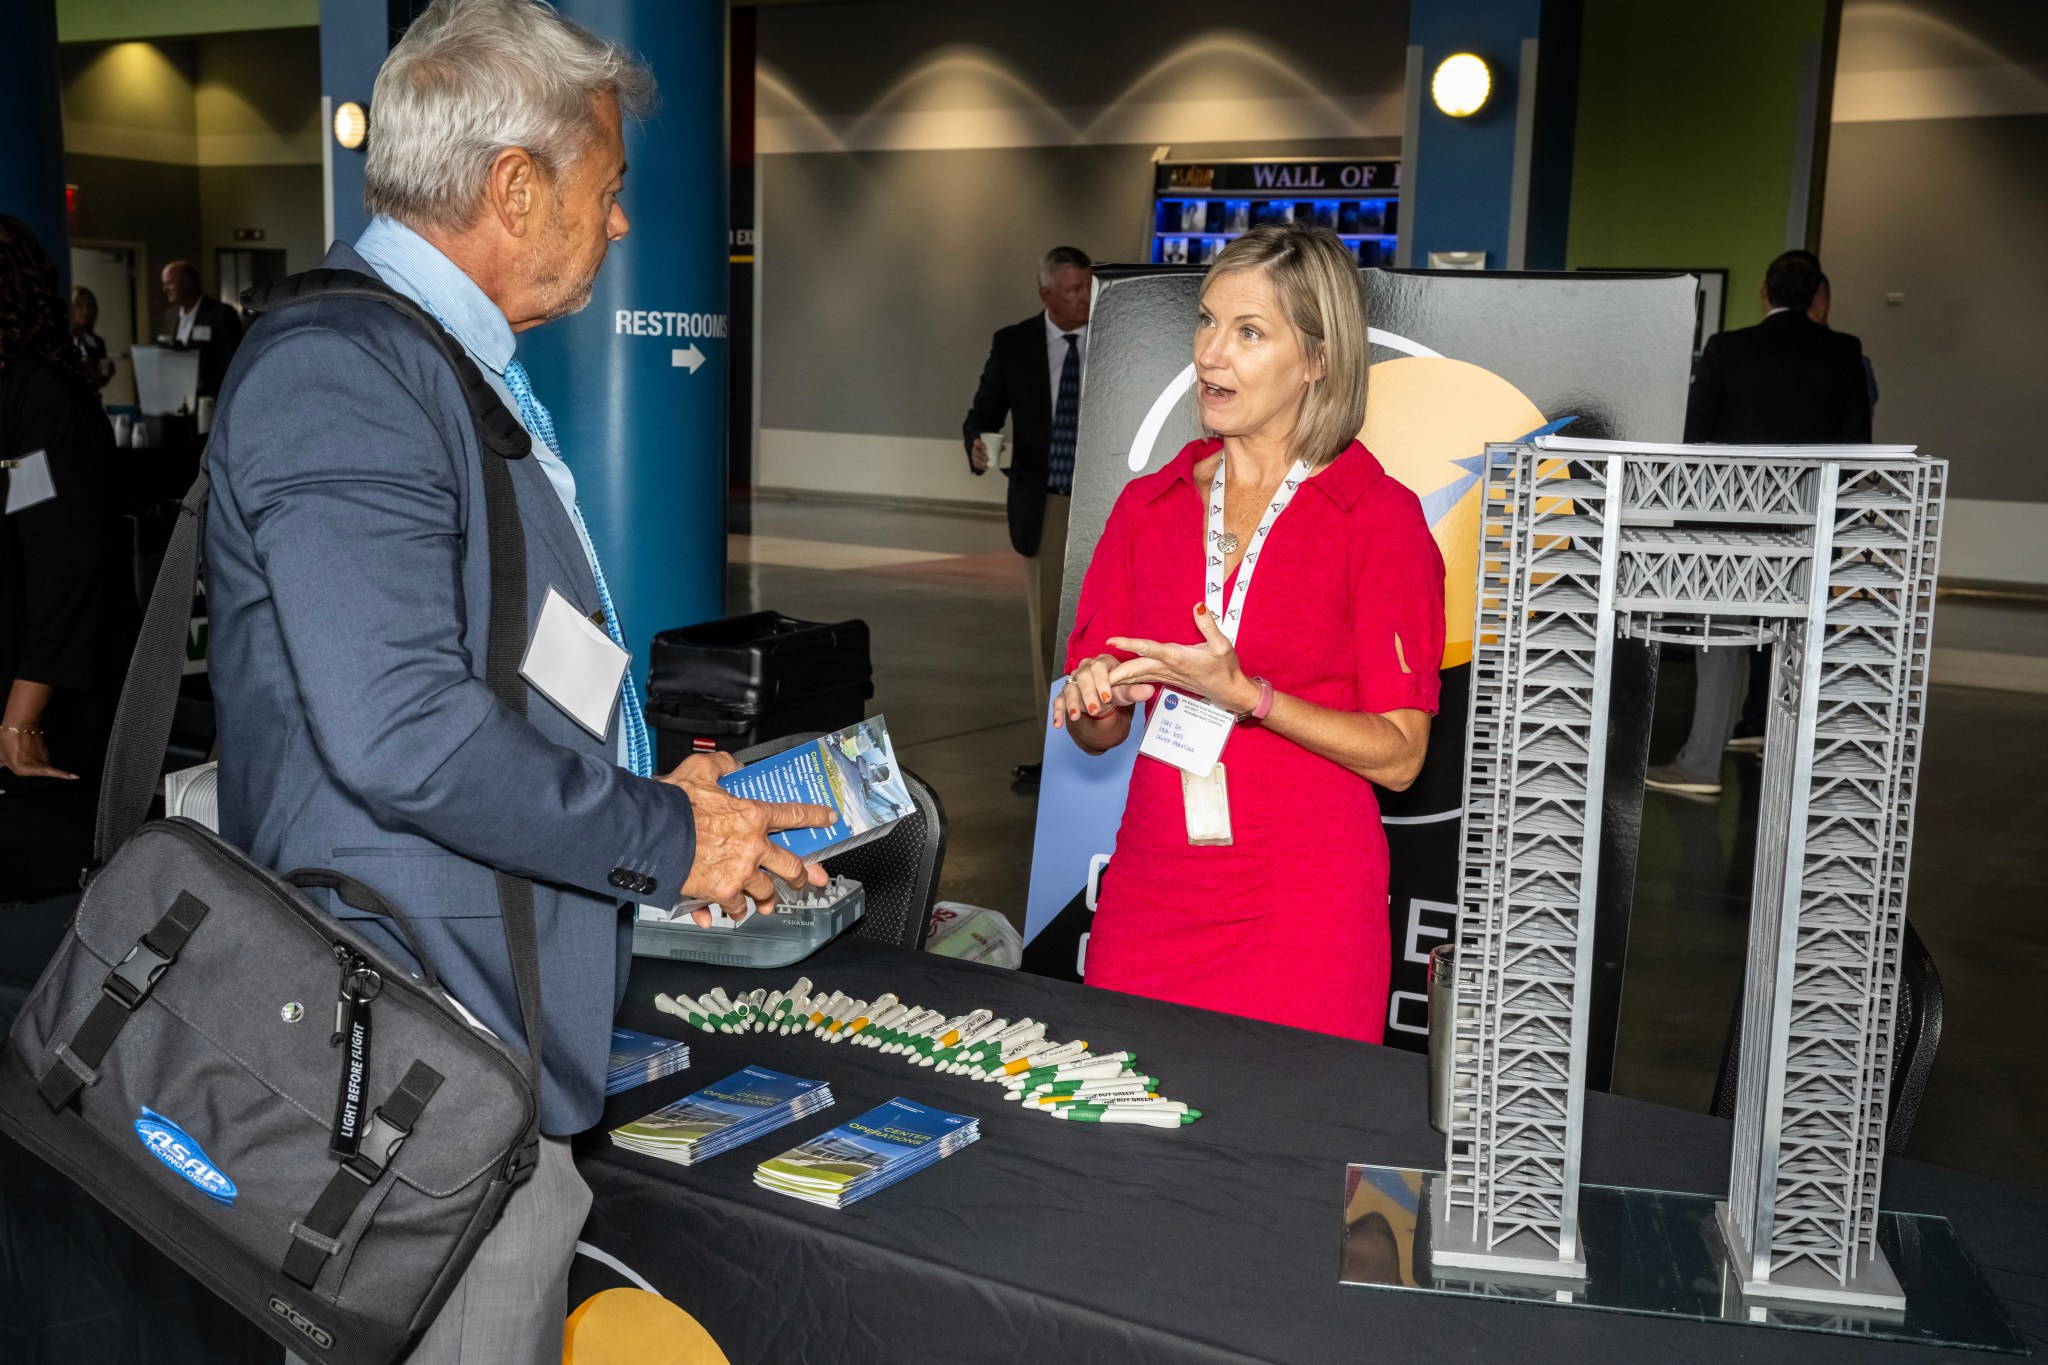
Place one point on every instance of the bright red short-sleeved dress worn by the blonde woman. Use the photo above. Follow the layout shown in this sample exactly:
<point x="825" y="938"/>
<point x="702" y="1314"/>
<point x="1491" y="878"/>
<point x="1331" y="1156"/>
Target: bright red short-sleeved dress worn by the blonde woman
<point x="1289" y="922"/>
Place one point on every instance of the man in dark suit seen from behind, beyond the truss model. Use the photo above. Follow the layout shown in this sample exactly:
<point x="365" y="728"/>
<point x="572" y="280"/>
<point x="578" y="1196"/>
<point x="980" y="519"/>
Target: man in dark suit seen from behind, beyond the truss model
<point x="1791" y="380"/>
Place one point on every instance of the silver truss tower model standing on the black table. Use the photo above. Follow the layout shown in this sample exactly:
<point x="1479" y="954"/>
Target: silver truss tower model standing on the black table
<point x="1828" y="554"/>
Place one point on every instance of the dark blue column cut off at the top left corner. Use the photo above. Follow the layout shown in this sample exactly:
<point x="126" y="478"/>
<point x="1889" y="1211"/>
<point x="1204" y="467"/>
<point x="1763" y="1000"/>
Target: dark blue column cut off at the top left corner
<point x="32" y="161"/>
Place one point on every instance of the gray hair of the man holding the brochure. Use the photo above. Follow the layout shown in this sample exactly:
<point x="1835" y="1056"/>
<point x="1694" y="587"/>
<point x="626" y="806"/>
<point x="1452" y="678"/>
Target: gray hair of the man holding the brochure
<point x="472" y="79"/>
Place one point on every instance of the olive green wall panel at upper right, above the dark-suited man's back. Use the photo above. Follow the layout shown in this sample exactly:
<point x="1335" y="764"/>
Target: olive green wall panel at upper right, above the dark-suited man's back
<point x="1689" y="118"/>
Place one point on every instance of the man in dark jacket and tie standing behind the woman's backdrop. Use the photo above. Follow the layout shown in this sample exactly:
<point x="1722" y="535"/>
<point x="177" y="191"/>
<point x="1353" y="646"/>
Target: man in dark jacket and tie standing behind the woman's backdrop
<point x="1035" y="380"/>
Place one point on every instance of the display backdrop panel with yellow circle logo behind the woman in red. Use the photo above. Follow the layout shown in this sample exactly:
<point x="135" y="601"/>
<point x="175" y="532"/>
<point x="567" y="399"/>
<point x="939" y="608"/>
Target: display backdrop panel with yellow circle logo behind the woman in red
<point x="1459" y="359"/>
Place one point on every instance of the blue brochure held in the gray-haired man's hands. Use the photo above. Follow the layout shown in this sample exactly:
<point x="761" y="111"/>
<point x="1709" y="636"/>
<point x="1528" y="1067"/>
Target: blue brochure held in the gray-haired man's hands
<point x="851" y="770"/>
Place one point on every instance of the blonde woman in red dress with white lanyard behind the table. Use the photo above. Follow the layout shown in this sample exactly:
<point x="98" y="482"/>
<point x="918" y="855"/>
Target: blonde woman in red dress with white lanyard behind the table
<point x="1277" y="572"/>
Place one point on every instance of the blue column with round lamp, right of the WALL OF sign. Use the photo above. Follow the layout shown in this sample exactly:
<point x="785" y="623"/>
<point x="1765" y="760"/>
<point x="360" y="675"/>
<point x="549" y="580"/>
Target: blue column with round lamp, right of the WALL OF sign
<point x="1498" y="181"/>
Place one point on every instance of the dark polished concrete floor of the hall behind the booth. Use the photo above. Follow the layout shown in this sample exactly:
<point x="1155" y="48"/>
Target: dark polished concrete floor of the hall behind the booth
<point x="951" y="674"/>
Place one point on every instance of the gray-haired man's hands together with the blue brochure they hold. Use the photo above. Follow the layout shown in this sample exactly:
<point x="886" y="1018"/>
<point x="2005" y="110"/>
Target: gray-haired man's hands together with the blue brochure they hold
<point x="816" y="799"/>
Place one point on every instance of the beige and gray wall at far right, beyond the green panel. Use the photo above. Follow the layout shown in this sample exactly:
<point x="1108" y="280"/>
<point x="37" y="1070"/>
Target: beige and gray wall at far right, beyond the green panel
<point x="1934" y="247"/>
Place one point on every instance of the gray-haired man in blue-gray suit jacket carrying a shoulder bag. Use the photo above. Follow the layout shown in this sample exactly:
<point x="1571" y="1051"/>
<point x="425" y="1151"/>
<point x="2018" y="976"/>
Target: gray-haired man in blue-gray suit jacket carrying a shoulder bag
<point x="349" y="599"/>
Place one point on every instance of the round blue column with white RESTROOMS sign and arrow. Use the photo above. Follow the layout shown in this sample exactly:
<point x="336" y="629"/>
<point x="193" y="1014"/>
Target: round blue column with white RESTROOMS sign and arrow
<point x="638" y="380"/>
